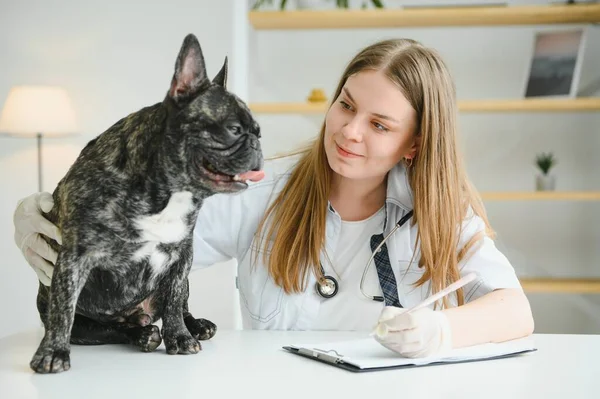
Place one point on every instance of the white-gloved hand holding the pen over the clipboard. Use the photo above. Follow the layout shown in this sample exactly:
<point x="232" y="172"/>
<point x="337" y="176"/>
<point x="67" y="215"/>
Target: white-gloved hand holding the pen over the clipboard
<point x="420" y="333"/>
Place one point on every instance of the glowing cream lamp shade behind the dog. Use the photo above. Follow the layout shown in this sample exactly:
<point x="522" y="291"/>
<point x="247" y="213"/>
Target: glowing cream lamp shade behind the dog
<point x="31" y="110"/>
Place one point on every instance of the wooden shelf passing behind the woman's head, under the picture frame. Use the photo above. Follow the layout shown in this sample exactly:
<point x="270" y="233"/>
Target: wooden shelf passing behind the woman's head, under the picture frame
<point x="517" y="105"/>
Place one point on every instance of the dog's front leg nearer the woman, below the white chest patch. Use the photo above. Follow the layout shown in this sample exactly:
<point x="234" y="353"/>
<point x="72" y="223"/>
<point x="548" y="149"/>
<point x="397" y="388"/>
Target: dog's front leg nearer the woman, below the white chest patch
<point x="176" y="337"/>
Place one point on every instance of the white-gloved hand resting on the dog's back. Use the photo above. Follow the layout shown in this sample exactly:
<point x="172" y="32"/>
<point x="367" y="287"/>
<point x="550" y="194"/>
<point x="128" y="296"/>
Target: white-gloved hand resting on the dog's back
<point x="29" y="224"/>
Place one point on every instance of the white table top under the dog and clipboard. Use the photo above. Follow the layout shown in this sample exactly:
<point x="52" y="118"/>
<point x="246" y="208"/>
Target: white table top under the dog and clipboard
<point x="251" y="364"/>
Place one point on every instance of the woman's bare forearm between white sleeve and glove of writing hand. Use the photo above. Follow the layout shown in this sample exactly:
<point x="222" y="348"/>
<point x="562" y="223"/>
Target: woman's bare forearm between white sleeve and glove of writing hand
<point x="498" y="316"/>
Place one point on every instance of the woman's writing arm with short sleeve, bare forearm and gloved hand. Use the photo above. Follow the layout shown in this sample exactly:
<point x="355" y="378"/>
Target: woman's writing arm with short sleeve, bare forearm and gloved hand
<point x="495" y="310"/>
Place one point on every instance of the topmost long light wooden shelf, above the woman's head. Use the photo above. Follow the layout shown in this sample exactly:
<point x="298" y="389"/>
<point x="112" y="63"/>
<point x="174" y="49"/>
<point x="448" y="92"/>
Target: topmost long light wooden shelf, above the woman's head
<point x="423" y="17"/>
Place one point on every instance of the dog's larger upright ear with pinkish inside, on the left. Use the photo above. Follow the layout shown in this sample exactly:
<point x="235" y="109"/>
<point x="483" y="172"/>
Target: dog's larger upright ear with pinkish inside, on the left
<point x="190" y="70"/>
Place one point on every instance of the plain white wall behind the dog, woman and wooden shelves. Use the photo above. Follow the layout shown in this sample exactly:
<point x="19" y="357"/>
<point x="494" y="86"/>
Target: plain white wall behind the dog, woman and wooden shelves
<point x="115" y="57"/>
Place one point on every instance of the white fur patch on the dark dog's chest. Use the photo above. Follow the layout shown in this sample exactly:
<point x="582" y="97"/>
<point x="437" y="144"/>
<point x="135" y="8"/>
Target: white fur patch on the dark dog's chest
<point x="168" y="226"/>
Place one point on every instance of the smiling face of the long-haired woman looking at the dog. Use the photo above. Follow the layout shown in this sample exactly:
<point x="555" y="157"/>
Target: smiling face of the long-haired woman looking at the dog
<point x="369" y="128"/>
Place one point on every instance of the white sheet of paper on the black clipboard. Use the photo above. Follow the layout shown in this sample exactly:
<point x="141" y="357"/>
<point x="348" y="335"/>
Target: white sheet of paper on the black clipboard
<point x="368" y="353"/>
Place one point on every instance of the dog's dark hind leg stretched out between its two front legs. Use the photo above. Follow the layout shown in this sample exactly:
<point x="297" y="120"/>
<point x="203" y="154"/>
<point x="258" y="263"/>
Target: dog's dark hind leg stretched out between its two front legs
<point x="90" y="332"/>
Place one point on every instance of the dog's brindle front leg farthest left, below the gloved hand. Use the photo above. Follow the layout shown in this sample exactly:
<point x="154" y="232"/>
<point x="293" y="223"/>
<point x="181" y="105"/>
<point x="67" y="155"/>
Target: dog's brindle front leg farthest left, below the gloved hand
<point x="53" y="353"/>
